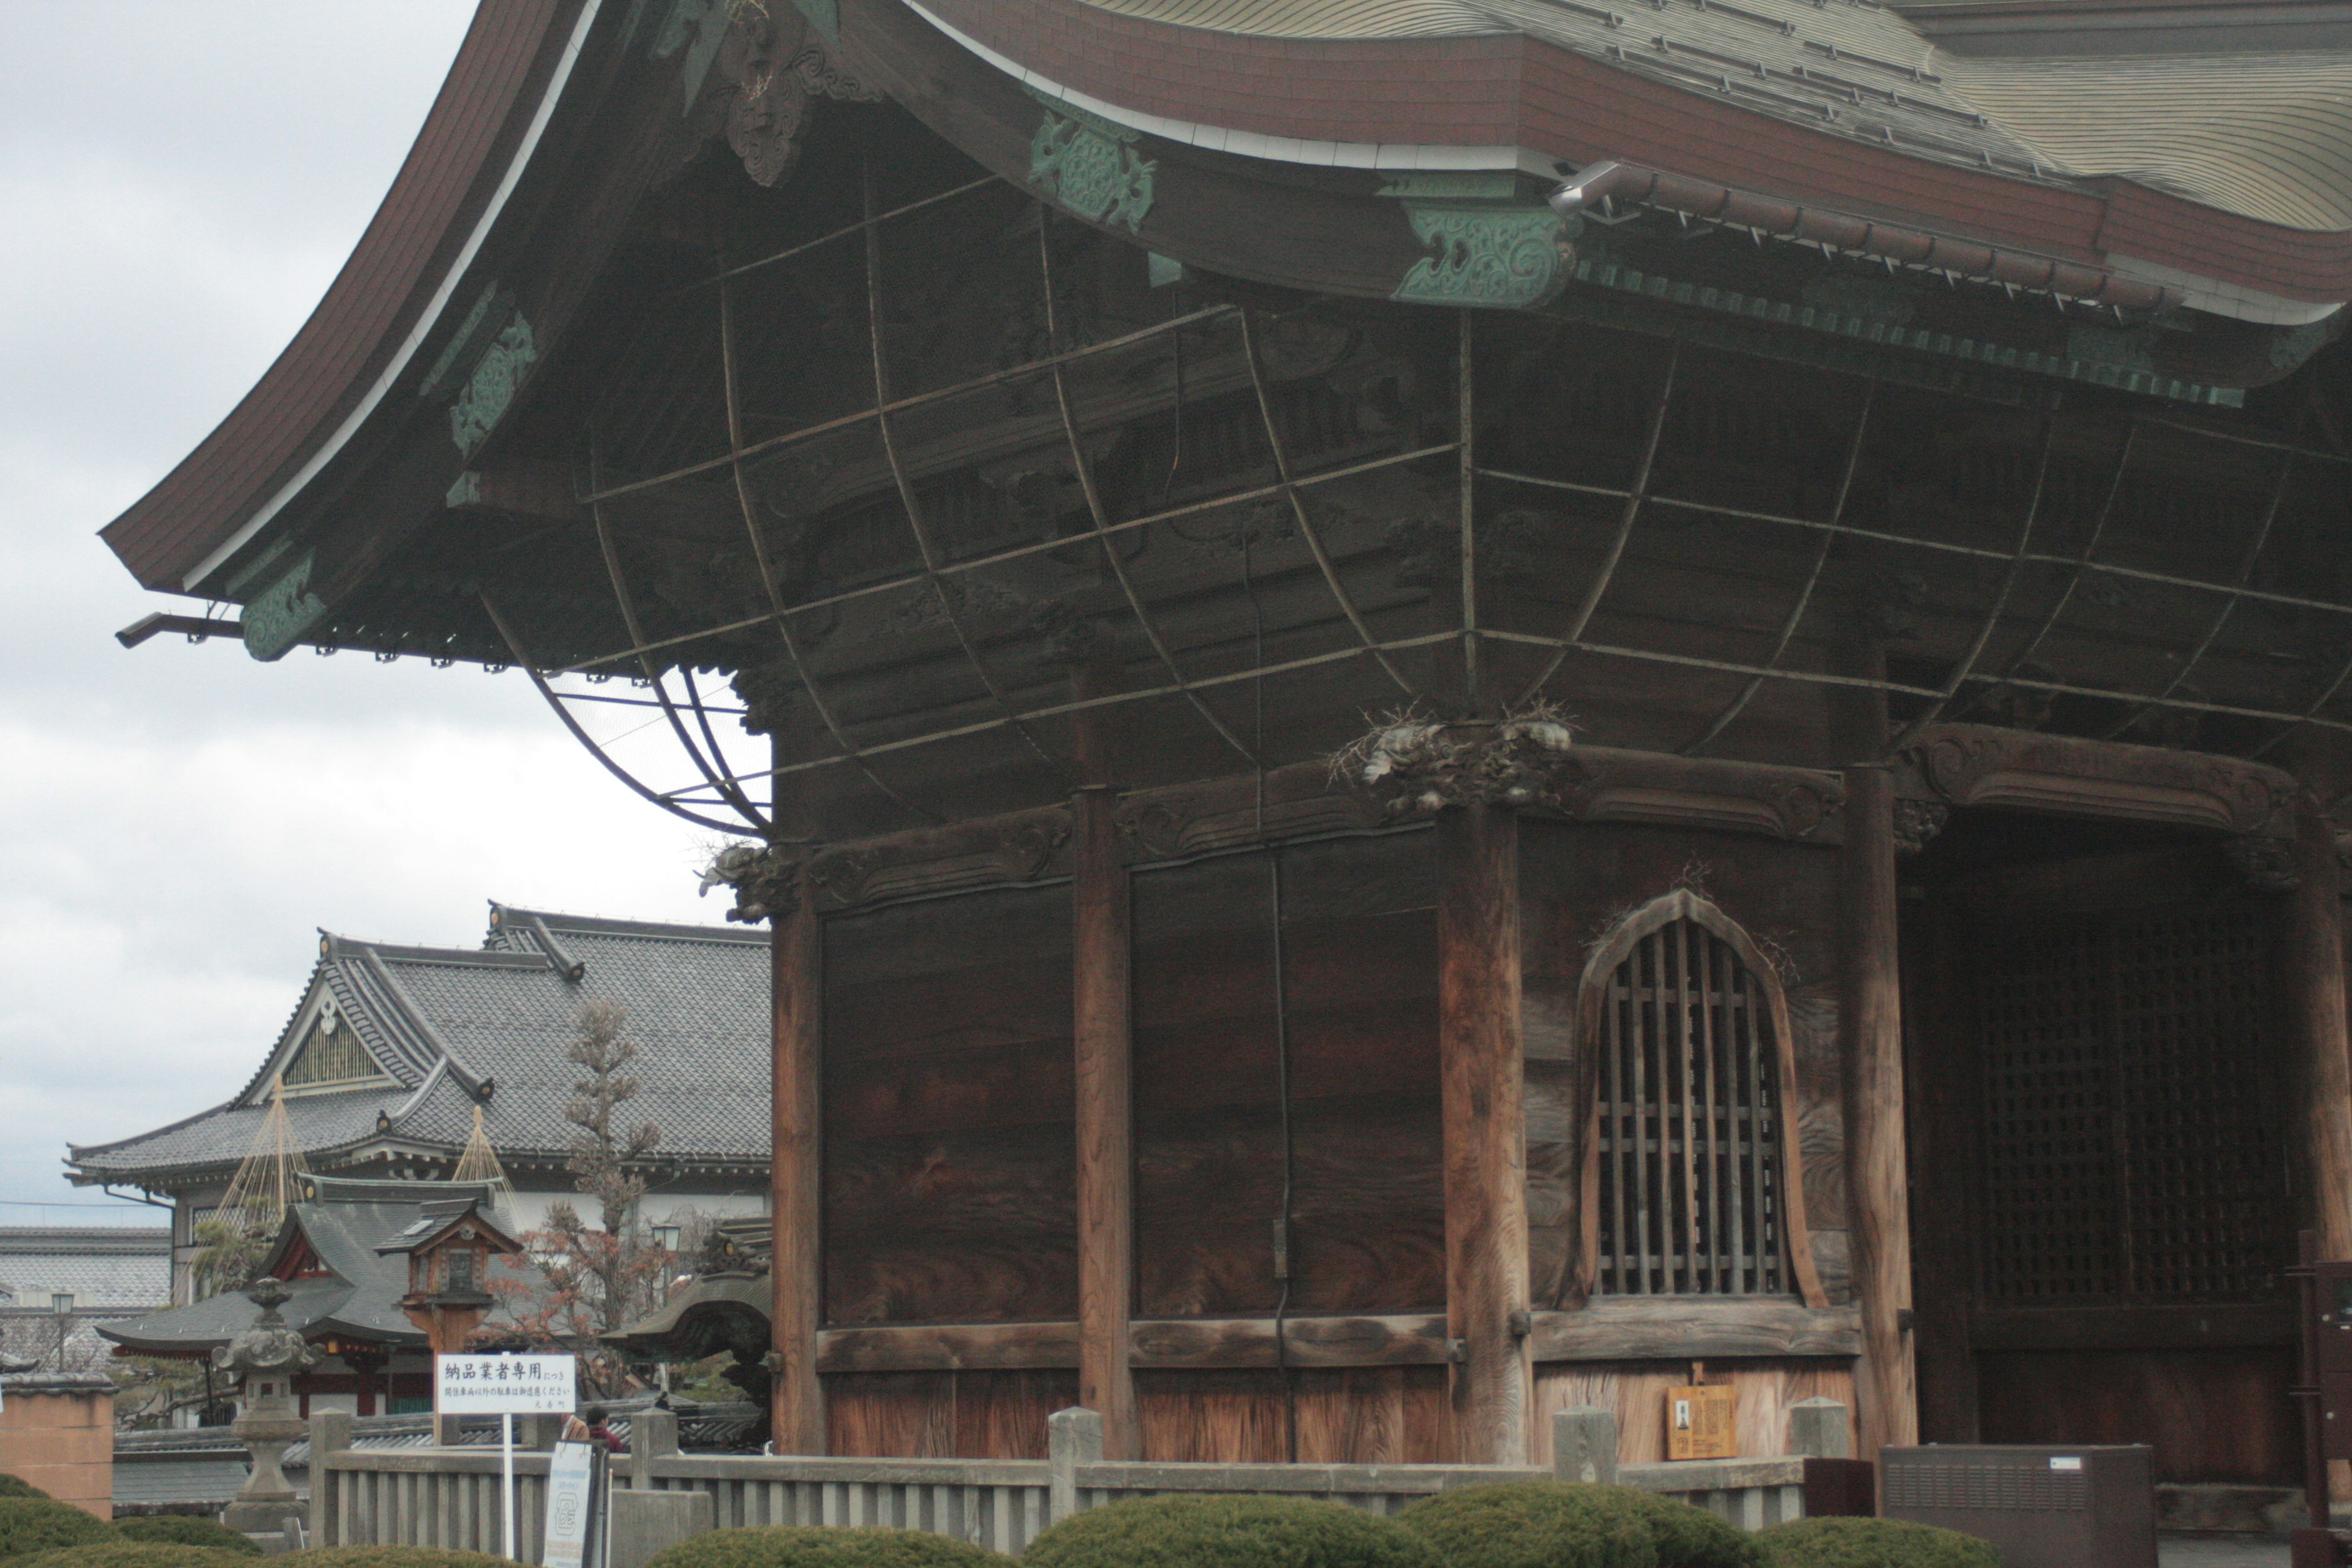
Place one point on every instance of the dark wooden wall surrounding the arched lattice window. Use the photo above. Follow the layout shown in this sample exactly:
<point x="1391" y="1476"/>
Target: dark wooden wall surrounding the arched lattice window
<point x="1577" y="880"/>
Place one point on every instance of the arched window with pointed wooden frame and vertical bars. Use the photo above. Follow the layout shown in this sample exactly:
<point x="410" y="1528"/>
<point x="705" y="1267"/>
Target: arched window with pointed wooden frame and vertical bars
<point x="1692" y="1172"/>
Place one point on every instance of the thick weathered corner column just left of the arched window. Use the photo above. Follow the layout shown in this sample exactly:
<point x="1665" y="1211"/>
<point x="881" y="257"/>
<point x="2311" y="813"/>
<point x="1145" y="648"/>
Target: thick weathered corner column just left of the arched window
<point x="1485" y="1132"/>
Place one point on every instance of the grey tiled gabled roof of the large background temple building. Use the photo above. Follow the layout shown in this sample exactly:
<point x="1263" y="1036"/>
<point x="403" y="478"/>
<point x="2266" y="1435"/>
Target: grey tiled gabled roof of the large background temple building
<point x="488" y="1026"/>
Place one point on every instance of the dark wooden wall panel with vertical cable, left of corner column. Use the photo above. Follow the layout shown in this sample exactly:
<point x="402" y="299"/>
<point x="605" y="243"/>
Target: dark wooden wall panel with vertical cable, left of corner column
<point x="1361" y="965"/>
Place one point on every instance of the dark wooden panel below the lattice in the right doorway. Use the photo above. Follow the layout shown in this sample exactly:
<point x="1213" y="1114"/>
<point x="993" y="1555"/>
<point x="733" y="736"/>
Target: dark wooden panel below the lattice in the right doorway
<point x="2212" y="1414"/>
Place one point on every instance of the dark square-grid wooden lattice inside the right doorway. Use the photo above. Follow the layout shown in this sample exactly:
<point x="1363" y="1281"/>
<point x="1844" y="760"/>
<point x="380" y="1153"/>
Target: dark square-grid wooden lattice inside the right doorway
<point x="2130" y="1148"/>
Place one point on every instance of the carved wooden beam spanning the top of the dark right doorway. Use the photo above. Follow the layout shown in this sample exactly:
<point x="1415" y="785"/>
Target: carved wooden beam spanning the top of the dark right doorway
<point x="1975" y="765"/>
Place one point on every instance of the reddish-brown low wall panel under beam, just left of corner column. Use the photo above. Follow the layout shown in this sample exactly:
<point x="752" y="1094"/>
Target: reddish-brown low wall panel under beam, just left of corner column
<point x="1344" y="1416"/>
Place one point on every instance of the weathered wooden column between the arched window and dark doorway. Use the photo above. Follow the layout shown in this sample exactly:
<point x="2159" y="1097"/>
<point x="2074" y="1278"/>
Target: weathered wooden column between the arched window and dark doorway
<point x="1885" y="1381"/>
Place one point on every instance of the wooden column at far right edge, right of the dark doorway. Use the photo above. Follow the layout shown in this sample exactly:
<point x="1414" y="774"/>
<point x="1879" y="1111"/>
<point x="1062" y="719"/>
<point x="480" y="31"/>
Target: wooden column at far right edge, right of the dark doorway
<point x="2313" y="951"/>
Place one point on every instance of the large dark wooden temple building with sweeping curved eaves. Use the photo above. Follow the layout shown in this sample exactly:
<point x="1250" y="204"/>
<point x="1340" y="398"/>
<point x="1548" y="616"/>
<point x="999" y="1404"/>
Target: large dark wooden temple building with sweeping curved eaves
<point x="1452" y="711"/>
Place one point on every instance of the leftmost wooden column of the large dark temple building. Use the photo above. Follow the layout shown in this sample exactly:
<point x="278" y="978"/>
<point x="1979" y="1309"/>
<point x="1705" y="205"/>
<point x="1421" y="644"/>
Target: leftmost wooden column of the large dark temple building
<point x="799" y="1177"/>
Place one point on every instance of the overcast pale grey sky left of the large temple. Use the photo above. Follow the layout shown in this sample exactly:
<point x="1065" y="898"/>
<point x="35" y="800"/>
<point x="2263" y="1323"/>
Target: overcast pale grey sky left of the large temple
<point x="180" y="180"/>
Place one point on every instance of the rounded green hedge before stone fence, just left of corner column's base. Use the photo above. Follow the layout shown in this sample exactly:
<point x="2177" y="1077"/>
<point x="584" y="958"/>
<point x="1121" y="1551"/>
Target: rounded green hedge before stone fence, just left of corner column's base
<point x="1194" y="1532"/>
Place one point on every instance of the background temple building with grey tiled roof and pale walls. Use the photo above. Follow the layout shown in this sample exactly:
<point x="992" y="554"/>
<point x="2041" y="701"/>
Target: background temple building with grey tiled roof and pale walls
<point x="394" y="1052"/>
